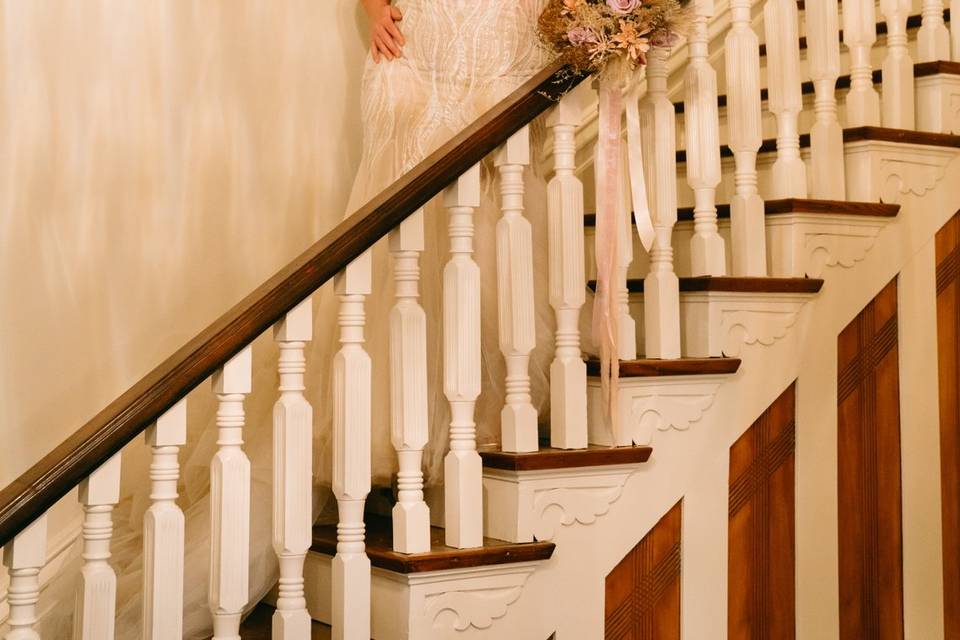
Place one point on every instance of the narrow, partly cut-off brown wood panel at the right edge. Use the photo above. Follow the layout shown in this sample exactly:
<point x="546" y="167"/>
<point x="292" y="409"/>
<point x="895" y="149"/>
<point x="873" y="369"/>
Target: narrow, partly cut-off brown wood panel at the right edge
<point x="948" y="342"/>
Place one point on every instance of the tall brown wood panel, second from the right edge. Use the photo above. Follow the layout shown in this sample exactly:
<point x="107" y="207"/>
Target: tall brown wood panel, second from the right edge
<point x="868" y="442"/>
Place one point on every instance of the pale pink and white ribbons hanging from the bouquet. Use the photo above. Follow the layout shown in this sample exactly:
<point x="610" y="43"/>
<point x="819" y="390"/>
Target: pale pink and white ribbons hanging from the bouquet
<point x="610" y="207"/>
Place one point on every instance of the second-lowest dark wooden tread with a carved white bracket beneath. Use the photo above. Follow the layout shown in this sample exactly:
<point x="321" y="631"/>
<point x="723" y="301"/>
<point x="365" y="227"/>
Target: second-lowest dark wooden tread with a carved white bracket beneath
<point x="550" y="458"/>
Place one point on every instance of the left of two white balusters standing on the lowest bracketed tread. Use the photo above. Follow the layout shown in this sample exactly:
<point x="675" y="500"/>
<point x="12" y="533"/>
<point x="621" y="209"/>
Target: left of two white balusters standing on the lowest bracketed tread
<point x="408" y="388"/>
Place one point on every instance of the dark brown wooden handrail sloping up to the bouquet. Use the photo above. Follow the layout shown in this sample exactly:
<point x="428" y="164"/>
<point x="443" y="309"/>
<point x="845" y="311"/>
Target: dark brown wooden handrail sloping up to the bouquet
<point x="33" y="493"/>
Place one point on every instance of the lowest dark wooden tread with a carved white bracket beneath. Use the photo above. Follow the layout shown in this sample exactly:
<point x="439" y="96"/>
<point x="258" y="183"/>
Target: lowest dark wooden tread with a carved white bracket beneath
<point x="379" y="542"/>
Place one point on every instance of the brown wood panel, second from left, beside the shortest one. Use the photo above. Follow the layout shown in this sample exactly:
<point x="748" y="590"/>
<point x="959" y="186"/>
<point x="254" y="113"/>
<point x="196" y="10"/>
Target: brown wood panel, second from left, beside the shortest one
<point x="761" y="541"/>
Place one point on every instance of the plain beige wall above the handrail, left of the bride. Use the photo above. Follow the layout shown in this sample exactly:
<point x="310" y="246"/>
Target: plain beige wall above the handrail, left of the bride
<point x="158" y="160"/>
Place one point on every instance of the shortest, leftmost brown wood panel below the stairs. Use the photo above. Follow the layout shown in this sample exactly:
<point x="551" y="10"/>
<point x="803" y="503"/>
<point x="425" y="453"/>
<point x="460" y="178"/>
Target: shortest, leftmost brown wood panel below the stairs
<point x="643" y="591"/>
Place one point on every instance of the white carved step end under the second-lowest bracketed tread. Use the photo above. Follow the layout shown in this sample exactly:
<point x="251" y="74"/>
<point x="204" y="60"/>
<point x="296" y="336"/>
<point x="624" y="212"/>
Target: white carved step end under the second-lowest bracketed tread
<point x="525" y="505"/>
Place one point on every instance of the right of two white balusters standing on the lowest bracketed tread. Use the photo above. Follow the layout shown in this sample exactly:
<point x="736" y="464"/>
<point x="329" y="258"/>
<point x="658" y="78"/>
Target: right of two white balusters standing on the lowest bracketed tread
<point x="463" y="488"/>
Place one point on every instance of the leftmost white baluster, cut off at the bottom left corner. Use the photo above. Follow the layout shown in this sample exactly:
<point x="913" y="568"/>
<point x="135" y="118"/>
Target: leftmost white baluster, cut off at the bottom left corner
<point x="24" y="557"/>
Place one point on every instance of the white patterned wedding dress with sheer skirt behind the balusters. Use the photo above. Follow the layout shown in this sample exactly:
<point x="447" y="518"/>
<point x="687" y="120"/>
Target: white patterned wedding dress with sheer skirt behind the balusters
<point x="461" y="58"/>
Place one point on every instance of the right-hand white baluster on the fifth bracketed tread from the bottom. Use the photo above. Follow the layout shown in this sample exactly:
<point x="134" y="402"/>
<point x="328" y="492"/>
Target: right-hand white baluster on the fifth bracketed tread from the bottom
<point x="826" y="136"/>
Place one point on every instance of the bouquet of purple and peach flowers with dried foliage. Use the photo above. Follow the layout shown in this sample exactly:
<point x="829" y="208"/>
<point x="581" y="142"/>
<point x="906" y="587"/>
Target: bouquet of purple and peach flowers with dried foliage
<point x="589" y="35"/>
